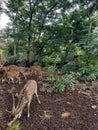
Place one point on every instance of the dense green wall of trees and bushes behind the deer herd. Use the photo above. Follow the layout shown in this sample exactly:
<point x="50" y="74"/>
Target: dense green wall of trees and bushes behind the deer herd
<point x="60" y="35"/>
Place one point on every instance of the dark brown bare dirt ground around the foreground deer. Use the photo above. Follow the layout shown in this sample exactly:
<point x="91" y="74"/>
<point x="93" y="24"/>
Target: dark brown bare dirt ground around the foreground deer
<point x="58" y="111"/>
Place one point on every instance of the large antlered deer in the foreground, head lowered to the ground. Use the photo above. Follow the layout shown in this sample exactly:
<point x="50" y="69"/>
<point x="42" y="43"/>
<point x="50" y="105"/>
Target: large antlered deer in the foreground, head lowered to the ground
<point x="24" y="99"/>
